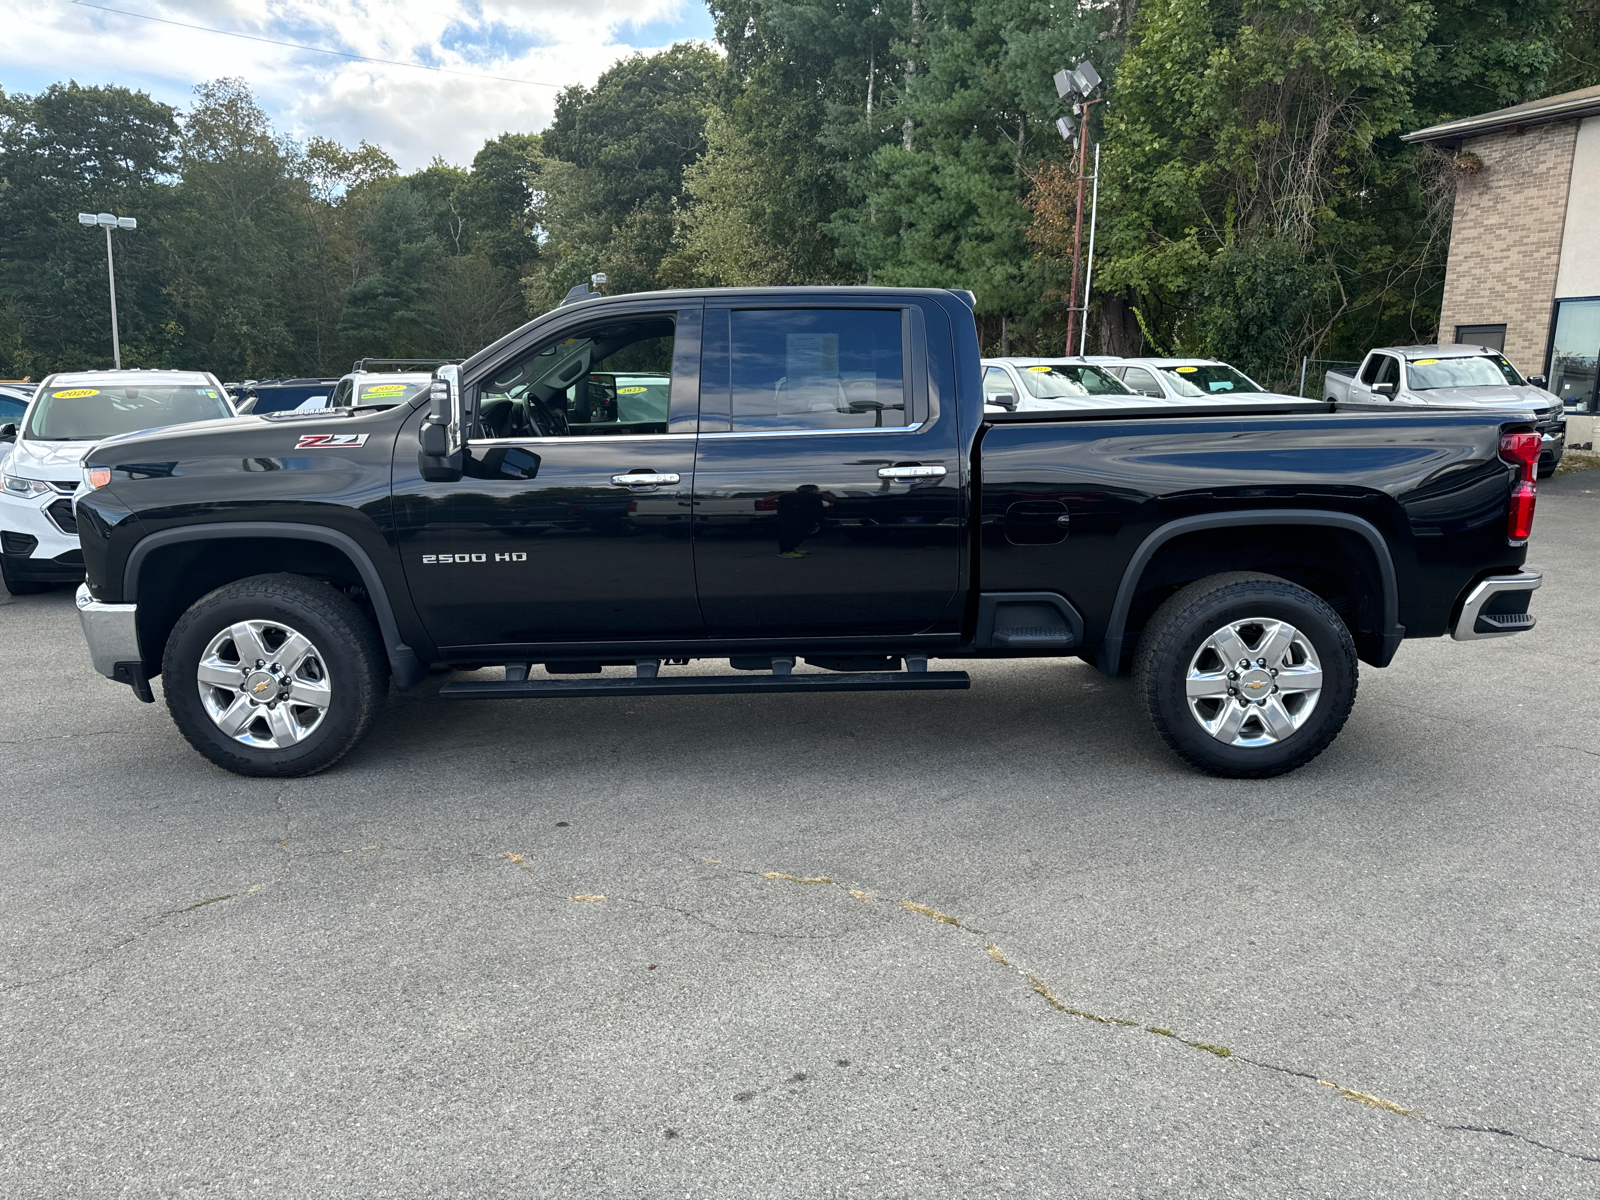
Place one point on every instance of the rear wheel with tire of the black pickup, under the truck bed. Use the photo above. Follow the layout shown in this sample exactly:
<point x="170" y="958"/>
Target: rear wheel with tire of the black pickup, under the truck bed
<point x="1247" y="676"/>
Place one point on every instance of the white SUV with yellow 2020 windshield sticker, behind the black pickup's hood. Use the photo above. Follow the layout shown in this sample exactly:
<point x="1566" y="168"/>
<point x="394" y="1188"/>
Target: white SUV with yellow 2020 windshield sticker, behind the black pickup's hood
<point x="39" y="534"/>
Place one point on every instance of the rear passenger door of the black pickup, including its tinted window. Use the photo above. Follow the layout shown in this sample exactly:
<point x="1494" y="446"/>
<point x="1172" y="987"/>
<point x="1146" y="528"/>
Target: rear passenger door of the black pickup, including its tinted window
<point x="828" y="489"/>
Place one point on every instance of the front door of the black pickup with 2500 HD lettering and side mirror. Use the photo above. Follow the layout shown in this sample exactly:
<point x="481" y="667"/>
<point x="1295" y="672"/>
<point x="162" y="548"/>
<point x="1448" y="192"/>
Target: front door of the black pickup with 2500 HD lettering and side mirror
<point x="574" y="519"/>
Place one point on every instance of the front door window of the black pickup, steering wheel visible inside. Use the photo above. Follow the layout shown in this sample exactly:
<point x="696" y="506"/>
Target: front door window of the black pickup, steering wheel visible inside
<point x="606" y="382"/>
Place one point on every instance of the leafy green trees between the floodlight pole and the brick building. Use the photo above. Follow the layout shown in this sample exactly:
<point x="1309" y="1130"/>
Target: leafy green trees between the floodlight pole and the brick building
<point x="1260" y="204"/>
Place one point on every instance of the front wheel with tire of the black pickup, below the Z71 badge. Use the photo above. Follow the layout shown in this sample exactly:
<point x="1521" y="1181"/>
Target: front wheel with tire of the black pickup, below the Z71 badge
<point x="274" y="676"/>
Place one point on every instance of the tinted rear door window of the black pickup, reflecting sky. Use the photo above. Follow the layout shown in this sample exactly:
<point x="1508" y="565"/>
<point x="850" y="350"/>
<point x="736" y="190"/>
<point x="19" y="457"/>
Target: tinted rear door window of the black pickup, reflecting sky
<point x="818" y="369"/>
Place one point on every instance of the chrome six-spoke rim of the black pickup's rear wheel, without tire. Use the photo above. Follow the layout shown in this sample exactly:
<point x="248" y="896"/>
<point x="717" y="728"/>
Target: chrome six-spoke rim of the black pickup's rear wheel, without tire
<point x="1254" y="682"/>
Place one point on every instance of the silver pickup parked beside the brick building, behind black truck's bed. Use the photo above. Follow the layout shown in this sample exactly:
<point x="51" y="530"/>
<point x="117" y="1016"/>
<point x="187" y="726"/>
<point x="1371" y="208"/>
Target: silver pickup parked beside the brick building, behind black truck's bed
<point x="1454" y="377"/>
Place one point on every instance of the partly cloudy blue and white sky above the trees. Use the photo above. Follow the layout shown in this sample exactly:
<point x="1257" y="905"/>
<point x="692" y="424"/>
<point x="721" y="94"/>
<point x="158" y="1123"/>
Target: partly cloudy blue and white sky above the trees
<point x="414" y="114"/>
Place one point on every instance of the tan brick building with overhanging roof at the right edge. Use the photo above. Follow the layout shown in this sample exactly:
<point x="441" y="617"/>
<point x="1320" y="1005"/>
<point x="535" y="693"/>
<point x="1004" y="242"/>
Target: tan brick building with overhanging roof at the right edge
<point x="1524" y="271"/>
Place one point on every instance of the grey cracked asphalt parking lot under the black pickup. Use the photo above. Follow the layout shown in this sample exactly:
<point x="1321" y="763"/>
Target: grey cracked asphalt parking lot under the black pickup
<point x="988" y="943"/>
